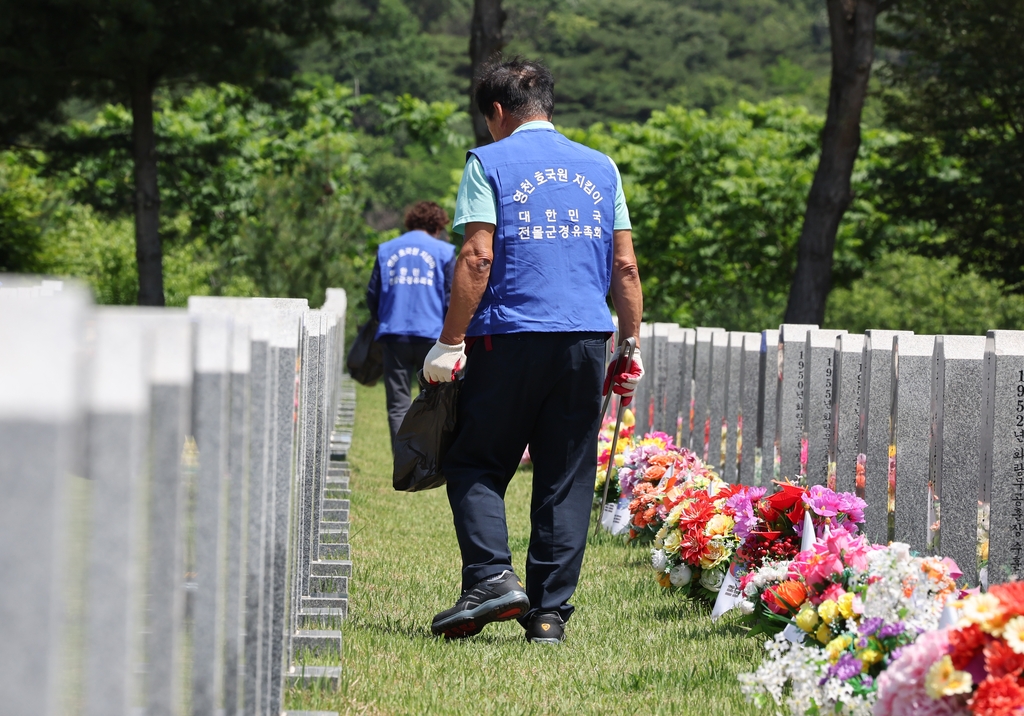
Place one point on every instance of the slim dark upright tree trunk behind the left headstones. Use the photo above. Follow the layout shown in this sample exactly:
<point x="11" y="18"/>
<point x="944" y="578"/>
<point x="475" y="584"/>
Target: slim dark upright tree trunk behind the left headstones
<point x="149" y="254"/>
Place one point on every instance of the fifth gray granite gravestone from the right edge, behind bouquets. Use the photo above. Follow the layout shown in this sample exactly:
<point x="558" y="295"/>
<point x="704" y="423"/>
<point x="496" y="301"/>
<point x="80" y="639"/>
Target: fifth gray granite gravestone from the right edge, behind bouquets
<point x="844" y="443"/>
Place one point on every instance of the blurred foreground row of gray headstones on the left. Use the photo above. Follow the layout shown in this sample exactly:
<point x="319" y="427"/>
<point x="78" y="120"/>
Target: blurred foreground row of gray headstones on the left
<point x="174" y="501"/>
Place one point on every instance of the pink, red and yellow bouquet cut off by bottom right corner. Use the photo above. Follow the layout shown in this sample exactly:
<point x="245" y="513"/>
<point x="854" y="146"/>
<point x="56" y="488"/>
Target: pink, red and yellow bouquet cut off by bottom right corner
<point x="975" y="668"/>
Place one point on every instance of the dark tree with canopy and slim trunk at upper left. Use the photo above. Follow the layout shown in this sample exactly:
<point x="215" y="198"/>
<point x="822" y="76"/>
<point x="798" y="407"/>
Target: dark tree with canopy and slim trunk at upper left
<point x="125" y="51"/>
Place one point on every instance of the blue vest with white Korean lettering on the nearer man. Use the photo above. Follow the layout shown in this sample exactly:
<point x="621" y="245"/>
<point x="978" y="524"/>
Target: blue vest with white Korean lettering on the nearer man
<point x="552" y="254"/>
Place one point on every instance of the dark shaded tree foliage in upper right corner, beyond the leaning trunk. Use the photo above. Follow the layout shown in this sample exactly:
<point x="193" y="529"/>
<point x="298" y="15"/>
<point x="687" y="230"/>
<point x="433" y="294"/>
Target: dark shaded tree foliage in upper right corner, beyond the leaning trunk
<point x="957" y="87"/>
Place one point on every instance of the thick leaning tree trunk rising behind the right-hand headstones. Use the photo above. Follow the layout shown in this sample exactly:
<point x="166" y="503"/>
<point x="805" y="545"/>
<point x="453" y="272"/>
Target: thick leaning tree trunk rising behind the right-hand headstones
<point x="851" y="25"/>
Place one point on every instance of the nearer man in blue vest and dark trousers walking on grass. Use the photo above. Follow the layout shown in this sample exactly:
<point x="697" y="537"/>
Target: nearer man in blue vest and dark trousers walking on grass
<point x="547" y="236"/>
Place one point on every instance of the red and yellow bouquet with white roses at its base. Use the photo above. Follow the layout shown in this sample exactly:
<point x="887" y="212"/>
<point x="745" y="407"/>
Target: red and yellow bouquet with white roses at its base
<point x="697" y="542"/>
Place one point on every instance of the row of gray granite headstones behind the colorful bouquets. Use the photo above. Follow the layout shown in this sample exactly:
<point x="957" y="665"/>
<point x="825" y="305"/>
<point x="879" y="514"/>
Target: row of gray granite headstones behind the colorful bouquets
<point x="929" y="431"/>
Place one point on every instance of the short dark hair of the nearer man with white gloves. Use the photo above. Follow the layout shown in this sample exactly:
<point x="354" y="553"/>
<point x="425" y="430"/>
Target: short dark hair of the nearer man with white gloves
<point x="526" y="89"/>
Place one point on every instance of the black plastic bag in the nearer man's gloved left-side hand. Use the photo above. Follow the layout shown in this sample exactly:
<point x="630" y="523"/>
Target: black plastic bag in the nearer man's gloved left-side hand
<point x="425" y="437"/>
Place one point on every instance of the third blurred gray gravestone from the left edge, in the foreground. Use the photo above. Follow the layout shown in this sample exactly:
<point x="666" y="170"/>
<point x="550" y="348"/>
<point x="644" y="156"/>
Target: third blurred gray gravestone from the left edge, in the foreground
<point x="170" y="420"/>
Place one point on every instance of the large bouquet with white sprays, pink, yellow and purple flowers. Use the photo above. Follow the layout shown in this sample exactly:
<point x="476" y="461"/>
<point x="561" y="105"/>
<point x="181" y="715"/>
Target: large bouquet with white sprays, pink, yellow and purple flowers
<point x="851" y="610"/>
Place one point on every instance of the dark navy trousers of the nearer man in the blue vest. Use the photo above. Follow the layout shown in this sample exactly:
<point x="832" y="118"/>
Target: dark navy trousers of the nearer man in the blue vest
<point x="543" y="390"/>
